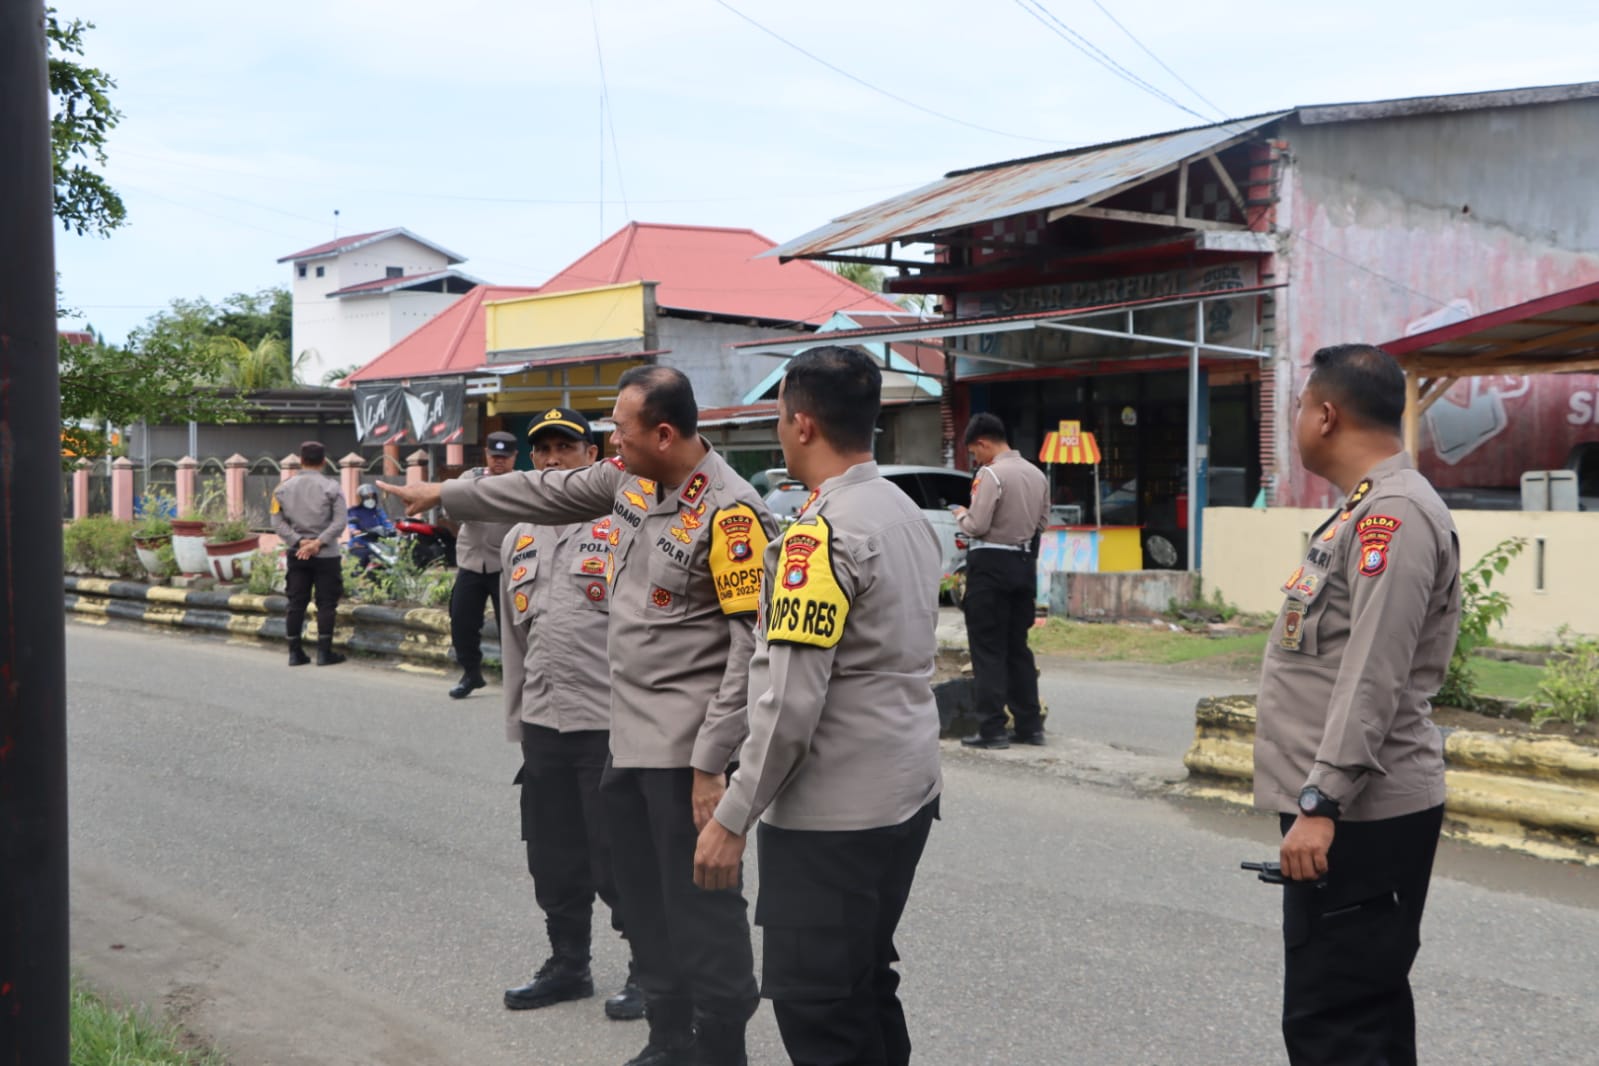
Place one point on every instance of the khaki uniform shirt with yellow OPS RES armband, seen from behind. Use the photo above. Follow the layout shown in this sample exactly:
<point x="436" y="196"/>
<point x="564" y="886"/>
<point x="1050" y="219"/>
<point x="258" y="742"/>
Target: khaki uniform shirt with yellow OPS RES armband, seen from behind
<point x="843" y="723"/>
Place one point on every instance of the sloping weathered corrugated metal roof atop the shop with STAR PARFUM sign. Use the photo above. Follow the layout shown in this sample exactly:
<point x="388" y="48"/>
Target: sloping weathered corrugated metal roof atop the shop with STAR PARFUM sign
<point x="1005" y="189"/>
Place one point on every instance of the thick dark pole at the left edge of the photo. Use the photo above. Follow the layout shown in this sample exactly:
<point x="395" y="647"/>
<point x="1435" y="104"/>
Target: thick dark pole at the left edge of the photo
<point x="34" y="993"/>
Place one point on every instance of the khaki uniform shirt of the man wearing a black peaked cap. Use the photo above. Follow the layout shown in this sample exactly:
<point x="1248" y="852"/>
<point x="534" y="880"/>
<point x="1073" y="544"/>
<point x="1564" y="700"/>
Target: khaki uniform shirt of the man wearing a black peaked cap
<point x="556" y="605"/>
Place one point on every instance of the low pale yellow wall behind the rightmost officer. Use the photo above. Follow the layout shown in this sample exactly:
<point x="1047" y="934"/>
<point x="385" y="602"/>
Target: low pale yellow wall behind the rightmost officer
<point x="1250" y="554"/>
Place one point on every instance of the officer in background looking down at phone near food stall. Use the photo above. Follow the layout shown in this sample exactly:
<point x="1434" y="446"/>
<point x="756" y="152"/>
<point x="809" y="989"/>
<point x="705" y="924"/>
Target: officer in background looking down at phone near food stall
<point x="1010" y="509"/>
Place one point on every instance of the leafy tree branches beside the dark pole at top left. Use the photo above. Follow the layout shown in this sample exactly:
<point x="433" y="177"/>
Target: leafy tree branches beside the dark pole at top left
<point x="82" y="117"/>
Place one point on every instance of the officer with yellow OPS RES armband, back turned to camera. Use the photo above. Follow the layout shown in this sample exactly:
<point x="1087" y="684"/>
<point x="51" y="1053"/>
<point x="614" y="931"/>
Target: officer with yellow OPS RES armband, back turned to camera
<point x="842" y="766"/>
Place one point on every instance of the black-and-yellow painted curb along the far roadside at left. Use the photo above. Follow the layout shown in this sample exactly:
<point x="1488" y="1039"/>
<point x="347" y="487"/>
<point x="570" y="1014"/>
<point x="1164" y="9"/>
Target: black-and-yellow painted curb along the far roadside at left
<point x="420" y="635"/>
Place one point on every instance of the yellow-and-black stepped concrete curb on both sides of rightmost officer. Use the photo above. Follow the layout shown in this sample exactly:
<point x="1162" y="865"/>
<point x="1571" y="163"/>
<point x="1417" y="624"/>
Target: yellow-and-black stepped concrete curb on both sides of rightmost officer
<point x="1533" y="794"/>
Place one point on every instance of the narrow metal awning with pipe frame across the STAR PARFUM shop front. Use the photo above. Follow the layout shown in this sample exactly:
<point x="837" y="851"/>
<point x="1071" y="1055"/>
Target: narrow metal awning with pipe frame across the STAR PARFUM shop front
<point x="1067" y="320"/>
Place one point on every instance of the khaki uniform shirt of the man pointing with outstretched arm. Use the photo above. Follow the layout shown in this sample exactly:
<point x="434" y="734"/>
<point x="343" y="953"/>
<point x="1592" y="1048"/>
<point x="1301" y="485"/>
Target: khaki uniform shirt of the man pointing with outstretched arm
<point x="685" y="587"/>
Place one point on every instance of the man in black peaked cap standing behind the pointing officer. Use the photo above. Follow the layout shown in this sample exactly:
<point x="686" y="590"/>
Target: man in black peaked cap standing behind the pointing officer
<point x="556" y="605"/>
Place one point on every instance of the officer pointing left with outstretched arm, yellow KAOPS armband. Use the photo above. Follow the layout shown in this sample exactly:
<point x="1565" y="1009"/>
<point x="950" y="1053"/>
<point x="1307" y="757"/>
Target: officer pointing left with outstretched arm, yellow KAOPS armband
<point x="687" y="539"/>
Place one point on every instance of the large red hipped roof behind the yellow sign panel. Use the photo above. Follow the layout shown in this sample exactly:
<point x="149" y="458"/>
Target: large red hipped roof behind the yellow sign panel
<point x="716" y="271"/>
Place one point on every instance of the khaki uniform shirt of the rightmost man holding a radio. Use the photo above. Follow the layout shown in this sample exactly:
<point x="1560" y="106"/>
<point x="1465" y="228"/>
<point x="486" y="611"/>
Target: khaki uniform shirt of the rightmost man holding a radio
<point x="1363" y="642"/>
